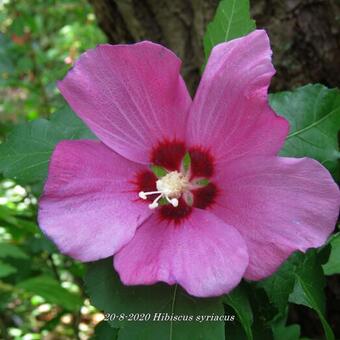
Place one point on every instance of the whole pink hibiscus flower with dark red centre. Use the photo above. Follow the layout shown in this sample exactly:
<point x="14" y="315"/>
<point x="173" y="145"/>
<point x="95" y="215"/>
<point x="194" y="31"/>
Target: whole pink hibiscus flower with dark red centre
<point x="237" y="211"/>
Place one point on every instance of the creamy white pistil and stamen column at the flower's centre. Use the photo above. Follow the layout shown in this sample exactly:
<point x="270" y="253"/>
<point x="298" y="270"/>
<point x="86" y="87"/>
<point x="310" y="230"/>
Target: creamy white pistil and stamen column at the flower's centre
<point x="171" y="187"/>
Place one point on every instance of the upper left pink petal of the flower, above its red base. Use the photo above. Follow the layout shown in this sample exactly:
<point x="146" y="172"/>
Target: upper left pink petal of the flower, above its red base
<point x="131" y="96"/>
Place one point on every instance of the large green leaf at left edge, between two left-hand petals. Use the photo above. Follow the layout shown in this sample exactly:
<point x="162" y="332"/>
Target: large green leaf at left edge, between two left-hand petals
<point x="26" y="152"/>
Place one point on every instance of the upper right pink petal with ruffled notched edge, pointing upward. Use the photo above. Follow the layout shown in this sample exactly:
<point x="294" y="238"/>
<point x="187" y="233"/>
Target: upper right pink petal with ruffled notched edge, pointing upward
<point x="230" y="114"/>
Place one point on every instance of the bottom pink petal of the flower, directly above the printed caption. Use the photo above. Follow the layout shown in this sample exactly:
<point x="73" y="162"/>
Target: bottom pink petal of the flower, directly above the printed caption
<point x="203" y="254"/>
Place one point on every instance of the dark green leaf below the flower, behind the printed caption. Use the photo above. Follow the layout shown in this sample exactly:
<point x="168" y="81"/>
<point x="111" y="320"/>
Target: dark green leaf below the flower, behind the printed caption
<point x="160" y="302"/>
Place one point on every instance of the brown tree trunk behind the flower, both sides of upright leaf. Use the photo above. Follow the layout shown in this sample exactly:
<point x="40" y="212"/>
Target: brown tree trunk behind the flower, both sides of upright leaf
<point x="304" y="33"/>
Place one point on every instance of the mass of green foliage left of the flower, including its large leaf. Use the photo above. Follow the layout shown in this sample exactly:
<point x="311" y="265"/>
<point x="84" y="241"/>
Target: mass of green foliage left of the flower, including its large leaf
<point x="38" y="43"/>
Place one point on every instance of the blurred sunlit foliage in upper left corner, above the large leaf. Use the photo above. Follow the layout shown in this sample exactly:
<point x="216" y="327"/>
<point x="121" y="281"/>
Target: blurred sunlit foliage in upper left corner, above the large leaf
<point x="38" y="44"/>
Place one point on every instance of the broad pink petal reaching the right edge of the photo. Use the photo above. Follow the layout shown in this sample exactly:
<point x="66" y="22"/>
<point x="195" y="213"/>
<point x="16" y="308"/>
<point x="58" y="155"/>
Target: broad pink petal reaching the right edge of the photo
<point x="279" y="205"/>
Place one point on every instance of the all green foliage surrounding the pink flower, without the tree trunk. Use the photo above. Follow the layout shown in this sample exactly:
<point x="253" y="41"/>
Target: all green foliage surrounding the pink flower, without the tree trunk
<point x="45" y="295"/>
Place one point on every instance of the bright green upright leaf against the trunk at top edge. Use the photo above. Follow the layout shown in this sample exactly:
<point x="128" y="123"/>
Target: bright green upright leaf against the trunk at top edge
<point x="232" y="20"/>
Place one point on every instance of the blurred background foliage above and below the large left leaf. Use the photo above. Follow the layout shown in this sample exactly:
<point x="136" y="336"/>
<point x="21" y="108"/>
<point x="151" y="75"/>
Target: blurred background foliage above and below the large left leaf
<point x="39" y="40"/>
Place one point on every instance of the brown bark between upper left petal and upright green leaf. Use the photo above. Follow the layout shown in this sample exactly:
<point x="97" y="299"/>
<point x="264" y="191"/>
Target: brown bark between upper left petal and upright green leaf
<point x="177" y="24"/>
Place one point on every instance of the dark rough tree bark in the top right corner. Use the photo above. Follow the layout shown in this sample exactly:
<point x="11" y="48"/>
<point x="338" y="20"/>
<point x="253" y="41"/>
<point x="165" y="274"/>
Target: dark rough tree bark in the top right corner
<point x="305" y="37"/>
